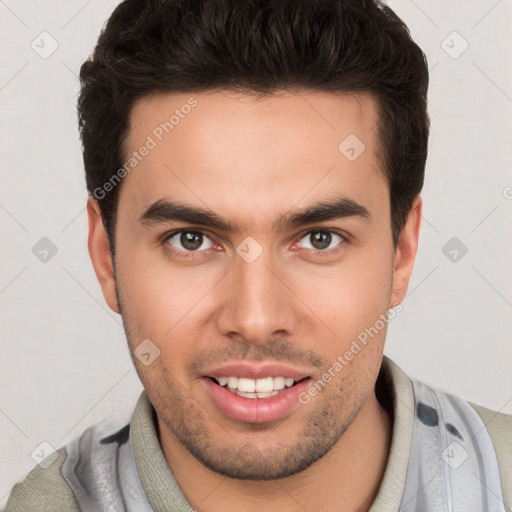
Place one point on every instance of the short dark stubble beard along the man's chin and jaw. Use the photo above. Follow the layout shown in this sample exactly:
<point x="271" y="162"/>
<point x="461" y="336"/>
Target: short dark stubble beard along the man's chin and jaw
<point x="236" y="455"/>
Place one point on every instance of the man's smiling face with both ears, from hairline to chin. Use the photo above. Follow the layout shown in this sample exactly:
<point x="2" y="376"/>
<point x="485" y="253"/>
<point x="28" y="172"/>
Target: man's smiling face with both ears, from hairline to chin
<point x="251" y="251"/>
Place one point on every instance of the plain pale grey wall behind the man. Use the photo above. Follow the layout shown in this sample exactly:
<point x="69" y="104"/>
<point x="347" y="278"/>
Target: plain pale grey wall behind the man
<point x="64" y="361"/>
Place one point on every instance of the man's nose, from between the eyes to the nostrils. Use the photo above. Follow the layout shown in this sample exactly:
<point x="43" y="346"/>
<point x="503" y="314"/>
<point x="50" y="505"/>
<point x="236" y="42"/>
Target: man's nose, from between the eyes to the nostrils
<point x="256" y="301"/>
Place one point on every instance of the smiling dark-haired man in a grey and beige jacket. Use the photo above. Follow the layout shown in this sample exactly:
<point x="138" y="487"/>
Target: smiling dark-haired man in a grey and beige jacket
<point x="254" y="171"/>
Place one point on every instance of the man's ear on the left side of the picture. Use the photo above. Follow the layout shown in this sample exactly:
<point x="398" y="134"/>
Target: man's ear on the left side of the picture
<point x="99" y="251"/>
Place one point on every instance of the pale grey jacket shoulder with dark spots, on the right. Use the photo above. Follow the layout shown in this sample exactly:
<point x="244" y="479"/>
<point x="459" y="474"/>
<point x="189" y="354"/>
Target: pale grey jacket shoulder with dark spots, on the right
<point x="452" y="444"/>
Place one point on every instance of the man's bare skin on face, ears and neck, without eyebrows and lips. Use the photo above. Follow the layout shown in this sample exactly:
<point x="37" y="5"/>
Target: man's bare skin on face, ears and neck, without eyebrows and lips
<point x="253" y="161"/>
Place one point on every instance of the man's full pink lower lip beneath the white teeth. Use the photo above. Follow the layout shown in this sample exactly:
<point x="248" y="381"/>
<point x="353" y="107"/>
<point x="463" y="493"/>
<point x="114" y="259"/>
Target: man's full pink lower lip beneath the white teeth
<point x="254" y="410"/>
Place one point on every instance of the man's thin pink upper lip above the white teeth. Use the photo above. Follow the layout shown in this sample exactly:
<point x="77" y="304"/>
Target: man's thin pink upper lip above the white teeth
<point x="256" y="370"/>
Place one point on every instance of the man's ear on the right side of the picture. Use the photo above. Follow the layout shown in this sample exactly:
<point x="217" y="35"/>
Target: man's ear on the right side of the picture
<point x="405" y="253"/>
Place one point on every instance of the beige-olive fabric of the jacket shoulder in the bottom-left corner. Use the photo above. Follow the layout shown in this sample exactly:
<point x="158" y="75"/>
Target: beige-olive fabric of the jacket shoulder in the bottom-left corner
<point x="43" y="489"/>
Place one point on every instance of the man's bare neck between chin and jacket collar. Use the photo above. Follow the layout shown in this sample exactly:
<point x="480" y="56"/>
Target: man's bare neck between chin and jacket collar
<point x="349" y="474"/>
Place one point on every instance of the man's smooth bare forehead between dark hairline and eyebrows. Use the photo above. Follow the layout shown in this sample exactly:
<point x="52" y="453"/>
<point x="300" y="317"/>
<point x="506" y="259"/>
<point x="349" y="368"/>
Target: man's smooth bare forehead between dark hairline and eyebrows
<point x="232" y="150"/>
